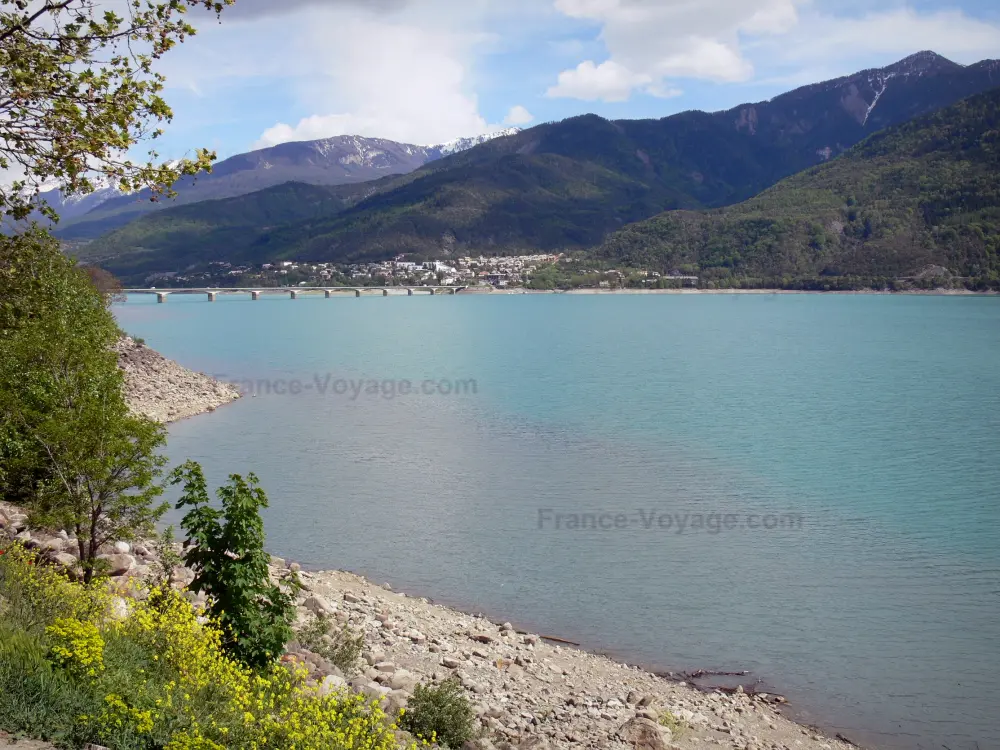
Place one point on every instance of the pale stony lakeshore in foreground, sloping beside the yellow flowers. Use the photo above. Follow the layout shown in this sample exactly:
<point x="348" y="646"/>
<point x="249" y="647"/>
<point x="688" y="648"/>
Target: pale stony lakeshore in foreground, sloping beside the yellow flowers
<point x="529" y="693"/>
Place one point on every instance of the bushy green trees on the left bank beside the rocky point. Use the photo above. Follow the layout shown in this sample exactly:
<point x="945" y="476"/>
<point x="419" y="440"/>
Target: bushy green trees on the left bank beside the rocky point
<point x="69" y="448"/>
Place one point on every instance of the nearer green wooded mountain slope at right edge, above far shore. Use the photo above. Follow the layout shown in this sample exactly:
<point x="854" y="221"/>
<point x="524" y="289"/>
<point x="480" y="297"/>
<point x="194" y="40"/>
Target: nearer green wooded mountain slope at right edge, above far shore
<point x="920" y="200"/>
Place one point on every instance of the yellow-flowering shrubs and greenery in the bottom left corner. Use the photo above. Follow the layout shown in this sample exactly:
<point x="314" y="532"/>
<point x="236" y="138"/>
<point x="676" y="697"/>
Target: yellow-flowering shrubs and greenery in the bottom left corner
<point x="166" y="682"/>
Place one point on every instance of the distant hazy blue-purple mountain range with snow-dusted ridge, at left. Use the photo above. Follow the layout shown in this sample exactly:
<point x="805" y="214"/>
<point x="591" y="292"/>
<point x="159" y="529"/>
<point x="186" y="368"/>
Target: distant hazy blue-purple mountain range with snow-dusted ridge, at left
<point x="340" y="160"/>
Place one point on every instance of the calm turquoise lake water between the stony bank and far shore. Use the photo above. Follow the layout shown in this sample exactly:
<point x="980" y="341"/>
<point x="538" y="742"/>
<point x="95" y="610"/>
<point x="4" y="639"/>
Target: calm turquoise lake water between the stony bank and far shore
<point x="872" y="420"/>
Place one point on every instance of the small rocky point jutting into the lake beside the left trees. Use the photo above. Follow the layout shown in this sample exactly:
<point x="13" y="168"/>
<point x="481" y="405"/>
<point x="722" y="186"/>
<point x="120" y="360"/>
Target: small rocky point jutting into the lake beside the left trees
<point x="161" y="389"/>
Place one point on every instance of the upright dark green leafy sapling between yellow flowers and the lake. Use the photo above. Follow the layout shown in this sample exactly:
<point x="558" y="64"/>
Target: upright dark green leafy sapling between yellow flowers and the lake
<point x="226" y="552"/>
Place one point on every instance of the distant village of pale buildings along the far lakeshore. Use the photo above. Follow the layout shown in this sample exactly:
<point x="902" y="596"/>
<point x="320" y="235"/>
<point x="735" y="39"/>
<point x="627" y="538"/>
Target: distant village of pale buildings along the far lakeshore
<point x="499" y="272"/>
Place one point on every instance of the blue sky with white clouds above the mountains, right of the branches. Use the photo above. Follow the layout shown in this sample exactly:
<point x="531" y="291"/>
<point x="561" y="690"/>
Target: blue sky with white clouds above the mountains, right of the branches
<point x="426" y="71"/>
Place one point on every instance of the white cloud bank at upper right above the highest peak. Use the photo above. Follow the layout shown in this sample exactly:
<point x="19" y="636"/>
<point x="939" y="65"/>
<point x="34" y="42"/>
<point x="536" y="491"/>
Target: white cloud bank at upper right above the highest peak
<point x="651" y="43"/>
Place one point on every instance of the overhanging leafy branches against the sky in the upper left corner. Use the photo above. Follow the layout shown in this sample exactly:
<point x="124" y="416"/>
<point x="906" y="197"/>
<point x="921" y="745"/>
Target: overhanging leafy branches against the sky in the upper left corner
<point x="78" y="90"/>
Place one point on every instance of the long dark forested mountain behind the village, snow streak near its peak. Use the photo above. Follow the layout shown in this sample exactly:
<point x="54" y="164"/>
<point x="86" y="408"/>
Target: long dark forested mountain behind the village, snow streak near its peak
<point x="566" y="185"/>
